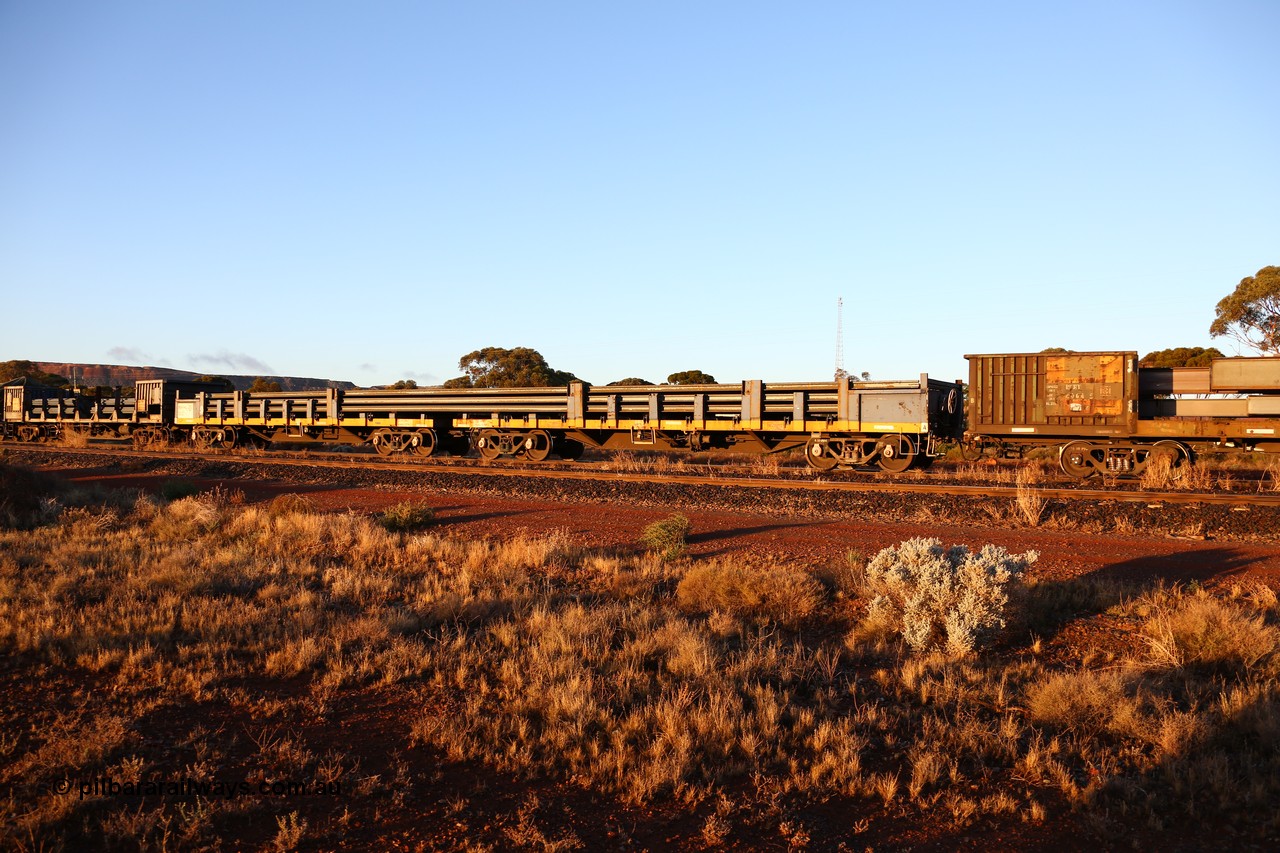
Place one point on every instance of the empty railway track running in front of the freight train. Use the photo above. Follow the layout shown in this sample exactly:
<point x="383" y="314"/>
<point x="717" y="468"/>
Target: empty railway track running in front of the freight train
<point x="597" y="473"/>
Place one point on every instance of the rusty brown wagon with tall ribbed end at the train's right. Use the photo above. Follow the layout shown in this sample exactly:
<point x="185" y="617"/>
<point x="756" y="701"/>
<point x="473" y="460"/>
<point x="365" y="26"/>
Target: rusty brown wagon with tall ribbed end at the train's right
<point x="1107" y="414"/>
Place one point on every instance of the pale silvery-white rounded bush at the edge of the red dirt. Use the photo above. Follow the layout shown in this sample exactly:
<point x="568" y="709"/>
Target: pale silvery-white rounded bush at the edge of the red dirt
<point x="943" y="597"/>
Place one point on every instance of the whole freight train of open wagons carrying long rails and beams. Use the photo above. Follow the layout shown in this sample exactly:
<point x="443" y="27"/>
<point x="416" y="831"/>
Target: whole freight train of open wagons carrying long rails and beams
<point x="1101" y="410"/>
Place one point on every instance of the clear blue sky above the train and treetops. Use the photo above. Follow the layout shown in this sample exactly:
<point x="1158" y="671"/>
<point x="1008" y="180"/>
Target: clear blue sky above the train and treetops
<point x="367" y="191"/>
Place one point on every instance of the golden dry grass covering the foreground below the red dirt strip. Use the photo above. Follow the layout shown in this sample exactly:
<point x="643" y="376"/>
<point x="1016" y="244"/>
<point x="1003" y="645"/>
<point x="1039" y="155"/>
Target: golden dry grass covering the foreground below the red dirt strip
<point x="740" y="695"/>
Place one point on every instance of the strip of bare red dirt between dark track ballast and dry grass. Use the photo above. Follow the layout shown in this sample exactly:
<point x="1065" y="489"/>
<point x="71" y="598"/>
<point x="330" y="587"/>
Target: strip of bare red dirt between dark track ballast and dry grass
<point x="1064" y="554"/>
